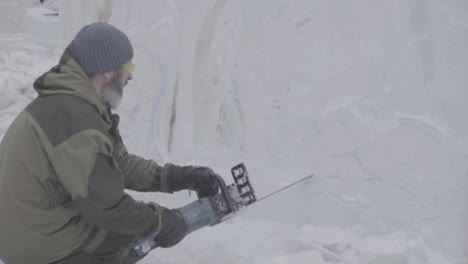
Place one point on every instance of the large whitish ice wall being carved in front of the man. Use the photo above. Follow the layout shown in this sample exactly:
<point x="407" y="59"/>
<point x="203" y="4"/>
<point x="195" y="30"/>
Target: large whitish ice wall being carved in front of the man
<point x="368" y="95"/>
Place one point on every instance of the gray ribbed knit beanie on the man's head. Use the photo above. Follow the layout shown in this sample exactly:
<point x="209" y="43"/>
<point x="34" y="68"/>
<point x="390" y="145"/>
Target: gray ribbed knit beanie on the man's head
<point x="101" y="48"/>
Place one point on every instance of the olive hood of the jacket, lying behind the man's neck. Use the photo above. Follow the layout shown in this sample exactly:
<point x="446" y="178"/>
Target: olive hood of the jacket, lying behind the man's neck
<point x="67" y="77"/>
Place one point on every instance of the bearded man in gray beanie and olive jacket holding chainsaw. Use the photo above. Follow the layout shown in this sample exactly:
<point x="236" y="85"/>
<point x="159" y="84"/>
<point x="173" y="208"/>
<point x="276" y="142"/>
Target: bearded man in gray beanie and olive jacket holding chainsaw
<point x="64" y="167"/>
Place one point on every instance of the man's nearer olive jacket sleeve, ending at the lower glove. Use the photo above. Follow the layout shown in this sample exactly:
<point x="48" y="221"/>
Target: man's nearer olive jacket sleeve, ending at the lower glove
<point x="90" y="174"/>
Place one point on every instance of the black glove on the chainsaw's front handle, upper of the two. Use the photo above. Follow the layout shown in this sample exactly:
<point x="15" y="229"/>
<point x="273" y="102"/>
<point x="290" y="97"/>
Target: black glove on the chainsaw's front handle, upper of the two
<point x="200" y="179"/>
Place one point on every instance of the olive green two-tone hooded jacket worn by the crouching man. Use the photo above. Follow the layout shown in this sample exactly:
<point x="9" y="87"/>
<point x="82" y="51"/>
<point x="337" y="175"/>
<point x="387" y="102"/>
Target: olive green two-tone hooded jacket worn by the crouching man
<point x="63" y="170"/>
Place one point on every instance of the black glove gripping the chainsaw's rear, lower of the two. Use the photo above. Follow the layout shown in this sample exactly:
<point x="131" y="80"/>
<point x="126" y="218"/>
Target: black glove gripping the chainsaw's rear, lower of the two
<point x="173" y="228"/>
